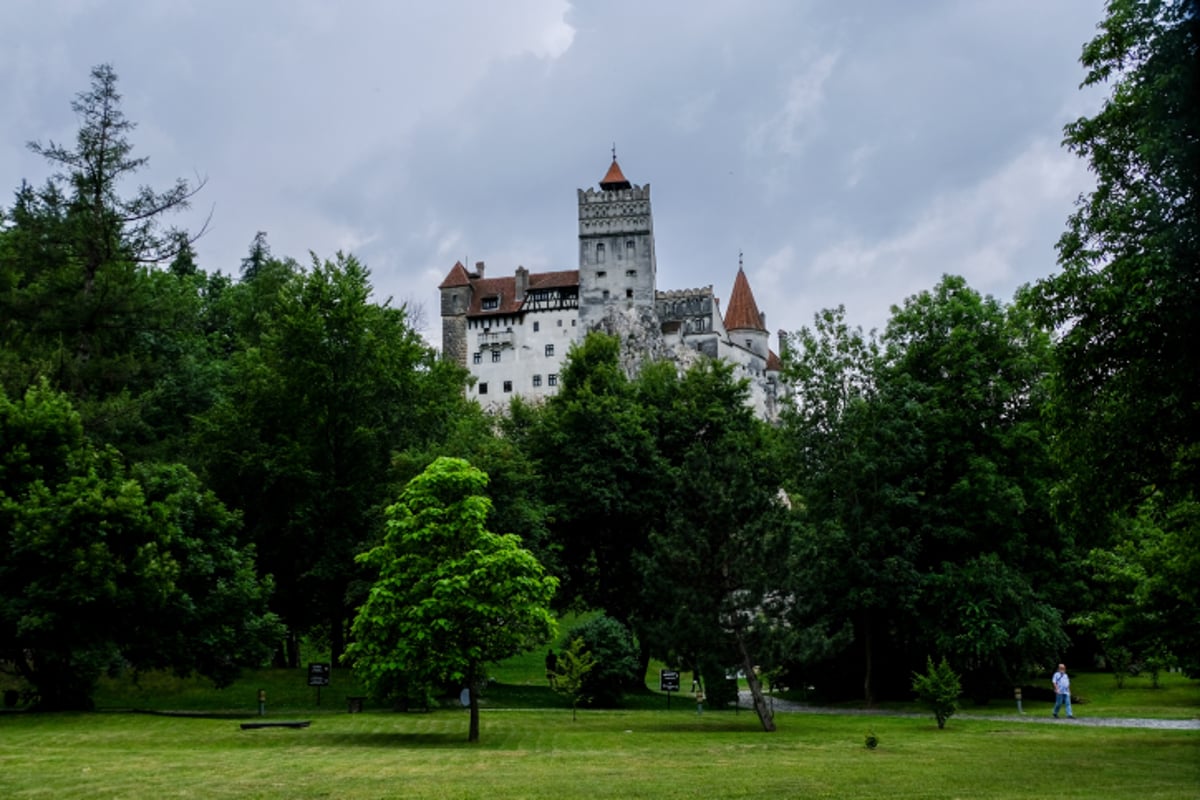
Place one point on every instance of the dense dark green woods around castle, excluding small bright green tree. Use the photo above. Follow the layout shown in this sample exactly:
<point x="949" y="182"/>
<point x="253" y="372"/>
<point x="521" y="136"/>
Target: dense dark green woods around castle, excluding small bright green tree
<point x="194" y="458"/>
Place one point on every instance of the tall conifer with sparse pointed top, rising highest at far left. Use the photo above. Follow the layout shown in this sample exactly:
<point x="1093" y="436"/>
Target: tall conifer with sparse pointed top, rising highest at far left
<point x="86" y="304"/>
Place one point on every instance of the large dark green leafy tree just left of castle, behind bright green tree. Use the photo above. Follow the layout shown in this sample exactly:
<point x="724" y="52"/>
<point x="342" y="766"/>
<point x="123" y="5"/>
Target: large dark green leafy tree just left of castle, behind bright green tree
<point x="323" y="387"/>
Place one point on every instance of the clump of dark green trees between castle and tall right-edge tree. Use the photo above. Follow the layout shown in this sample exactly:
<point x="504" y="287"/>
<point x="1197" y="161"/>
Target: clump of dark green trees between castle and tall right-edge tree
<point x="922" y="467"/>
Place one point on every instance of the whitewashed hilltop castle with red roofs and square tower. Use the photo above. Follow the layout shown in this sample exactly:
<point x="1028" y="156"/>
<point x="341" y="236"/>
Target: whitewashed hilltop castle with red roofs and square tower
<point x="514" y="333"/>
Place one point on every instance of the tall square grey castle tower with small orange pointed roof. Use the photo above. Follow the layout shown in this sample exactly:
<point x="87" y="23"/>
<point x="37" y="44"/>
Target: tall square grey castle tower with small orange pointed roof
<point x="617" y="266"/>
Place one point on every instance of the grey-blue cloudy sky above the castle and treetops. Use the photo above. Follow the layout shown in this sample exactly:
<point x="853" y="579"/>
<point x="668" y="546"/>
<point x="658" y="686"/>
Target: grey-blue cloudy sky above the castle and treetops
<point x="854" y="152"/>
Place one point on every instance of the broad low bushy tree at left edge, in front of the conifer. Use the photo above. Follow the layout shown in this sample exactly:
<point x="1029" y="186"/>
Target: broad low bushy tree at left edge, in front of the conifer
<point x="104" y="567"/>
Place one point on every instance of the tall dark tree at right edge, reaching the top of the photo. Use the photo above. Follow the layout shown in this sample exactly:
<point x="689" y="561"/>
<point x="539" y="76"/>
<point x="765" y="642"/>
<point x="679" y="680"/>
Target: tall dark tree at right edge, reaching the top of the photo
<point x="1126" y="393"/>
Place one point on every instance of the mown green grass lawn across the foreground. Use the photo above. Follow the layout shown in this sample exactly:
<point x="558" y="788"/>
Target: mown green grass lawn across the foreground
<point x="537" y="751"/>
